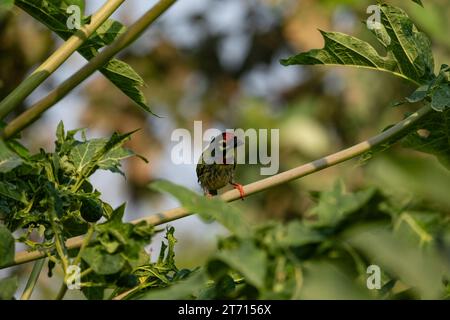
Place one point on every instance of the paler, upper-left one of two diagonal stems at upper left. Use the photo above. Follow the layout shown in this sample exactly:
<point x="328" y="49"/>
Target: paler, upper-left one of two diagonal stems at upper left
<point x="57" y="58"/>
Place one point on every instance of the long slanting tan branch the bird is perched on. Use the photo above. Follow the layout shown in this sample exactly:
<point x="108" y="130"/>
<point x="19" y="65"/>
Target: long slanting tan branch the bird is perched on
<point x="264" y="184"/>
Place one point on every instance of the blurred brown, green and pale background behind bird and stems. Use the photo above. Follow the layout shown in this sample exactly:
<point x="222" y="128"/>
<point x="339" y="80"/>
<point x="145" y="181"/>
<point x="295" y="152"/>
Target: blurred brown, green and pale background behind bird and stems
<point x="218" y="61"/>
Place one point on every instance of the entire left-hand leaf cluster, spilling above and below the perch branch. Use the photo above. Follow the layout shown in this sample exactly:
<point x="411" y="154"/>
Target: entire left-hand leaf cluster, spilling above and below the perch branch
<point x="47" y="197"/>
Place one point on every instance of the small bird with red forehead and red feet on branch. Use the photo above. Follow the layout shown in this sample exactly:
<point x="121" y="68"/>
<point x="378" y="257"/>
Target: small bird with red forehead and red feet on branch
<point x="215" y="172"/>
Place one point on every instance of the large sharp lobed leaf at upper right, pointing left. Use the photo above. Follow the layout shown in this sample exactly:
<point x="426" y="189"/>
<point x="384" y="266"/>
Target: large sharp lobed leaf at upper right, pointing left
<point x="408" y="50"/>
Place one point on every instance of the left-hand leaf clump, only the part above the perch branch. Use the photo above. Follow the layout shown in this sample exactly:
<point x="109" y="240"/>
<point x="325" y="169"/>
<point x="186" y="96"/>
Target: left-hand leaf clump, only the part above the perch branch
<point x="37" y="190"/>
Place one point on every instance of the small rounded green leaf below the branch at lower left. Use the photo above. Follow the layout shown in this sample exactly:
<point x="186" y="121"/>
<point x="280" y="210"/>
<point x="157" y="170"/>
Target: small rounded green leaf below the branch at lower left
<point x="102" y="262"/>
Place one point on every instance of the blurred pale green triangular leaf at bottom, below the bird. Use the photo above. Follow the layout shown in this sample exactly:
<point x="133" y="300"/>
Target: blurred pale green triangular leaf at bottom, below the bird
<point x="248" y="260"/>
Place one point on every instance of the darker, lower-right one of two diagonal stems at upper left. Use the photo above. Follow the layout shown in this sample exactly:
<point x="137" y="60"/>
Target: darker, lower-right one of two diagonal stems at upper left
<point x="132" y="33"/>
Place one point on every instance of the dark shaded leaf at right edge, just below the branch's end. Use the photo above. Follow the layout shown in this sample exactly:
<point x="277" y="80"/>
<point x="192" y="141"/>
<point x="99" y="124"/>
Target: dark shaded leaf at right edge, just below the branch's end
<point x="432" y="135"/>
